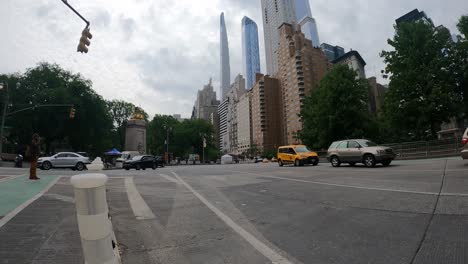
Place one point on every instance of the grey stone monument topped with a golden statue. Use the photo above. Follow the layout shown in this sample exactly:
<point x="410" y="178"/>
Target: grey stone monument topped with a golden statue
<point x="135" y="133"/>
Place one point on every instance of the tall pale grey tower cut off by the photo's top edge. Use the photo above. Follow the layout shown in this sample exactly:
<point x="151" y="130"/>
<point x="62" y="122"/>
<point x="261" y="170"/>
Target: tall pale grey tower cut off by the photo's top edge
<point x="275" y="13"/>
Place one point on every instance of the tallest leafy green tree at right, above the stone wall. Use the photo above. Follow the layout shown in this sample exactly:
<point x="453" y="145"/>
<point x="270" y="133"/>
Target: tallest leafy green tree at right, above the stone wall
<point x="422" y="93"/>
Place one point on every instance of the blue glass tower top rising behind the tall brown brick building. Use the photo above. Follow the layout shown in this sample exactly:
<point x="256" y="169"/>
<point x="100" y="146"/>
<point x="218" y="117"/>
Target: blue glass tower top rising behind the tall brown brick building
<point x="307" y="22"/>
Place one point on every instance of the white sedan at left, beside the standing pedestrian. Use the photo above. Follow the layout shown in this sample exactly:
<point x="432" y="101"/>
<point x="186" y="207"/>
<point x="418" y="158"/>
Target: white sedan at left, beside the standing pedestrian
<point x="63" y="160"/>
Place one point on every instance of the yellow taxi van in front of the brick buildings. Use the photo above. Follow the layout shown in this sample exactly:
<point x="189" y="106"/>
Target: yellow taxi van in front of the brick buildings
<point x="298" y="155"/>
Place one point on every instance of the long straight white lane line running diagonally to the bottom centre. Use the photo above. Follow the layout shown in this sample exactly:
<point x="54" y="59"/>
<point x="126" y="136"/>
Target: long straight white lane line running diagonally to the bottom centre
<point x="261" y="247"/>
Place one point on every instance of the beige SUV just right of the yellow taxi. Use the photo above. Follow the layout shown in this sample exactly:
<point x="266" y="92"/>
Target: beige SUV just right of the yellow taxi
<point x="354" y="151"/>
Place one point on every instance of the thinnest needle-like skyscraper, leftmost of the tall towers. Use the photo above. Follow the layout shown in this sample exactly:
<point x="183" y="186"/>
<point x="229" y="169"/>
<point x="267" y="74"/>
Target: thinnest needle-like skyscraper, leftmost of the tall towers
<point x="225" y="77"/>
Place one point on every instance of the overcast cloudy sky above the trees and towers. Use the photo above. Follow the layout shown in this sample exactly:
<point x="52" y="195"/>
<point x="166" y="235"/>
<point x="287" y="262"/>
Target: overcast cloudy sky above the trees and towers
<point x="158" y="53"/>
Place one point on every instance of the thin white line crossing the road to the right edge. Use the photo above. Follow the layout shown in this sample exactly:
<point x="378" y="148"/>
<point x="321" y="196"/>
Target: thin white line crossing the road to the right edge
<point x="354" y="186"/>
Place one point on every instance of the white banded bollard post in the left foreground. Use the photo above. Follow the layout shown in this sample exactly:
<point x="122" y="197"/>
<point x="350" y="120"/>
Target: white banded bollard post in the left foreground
<point x="97" y="237"/>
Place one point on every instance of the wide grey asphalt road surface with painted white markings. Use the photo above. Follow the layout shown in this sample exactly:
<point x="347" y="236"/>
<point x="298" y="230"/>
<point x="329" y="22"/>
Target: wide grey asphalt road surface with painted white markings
<point x="410" y="212"/>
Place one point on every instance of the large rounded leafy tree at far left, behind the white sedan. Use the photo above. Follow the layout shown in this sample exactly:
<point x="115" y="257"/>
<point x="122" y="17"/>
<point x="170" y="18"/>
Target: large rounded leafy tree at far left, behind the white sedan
<point x="46" y="85"/>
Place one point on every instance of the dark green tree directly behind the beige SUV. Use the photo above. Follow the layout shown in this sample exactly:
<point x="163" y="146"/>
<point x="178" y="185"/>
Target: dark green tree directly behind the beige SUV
<point x="337" y="109"/>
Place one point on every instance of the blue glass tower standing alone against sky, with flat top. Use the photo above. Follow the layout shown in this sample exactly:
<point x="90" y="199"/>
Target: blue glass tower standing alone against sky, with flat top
<point x="250" y="51"/>
